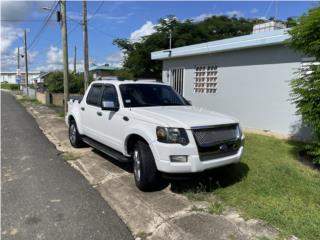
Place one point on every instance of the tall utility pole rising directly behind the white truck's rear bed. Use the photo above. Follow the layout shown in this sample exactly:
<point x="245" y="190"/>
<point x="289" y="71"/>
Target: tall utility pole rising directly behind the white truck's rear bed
<point x="85" y="41"/>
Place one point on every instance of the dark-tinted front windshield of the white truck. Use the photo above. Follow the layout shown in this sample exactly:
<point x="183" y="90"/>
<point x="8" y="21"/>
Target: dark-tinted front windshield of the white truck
<point x="149" y="95"/>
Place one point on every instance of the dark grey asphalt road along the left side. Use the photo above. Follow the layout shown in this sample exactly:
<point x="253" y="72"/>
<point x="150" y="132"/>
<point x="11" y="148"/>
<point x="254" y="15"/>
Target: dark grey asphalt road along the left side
<point x="42" y="196"/>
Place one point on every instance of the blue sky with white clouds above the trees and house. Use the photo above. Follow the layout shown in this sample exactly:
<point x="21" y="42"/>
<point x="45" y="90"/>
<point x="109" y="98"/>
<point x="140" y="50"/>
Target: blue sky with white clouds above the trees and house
<point x="108" y="20"/>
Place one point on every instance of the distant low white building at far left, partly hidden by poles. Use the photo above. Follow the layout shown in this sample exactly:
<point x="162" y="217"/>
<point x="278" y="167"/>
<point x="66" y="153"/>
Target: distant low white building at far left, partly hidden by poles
<point x="11" y="77"/>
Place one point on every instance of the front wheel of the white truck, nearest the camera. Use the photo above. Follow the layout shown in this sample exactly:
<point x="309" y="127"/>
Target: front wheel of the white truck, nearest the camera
<point x="148" y="178"/>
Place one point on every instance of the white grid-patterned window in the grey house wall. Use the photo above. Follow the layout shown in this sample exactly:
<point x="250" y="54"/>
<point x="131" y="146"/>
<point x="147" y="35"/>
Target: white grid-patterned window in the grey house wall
<point x="205" y="79"/>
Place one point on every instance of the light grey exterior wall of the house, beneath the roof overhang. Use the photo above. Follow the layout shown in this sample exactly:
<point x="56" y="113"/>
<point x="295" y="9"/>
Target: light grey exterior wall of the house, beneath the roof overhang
<point x="253" y="86"/>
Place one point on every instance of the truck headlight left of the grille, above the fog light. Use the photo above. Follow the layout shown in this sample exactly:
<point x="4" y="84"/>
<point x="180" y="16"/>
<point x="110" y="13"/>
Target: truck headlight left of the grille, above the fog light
<point x="172" y="135"/>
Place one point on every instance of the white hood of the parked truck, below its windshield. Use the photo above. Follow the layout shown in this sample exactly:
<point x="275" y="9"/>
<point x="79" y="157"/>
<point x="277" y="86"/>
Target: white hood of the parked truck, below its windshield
<point x="182" y="116"/>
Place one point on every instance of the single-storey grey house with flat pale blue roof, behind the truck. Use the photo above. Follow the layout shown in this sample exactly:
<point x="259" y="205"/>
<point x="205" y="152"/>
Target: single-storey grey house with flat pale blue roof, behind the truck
<point x="247" y="77"/>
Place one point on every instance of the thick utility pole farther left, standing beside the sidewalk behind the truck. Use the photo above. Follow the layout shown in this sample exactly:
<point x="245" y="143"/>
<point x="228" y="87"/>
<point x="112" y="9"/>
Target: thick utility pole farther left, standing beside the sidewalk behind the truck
<point x="65" y="53"/>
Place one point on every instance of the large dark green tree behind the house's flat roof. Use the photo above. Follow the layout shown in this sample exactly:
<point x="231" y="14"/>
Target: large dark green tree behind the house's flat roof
<point x="137" y="54"/>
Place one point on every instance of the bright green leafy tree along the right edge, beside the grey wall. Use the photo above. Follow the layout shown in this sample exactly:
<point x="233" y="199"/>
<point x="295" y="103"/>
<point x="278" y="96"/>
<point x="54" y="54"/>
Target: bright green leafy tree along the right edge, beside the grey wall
<point x="305" y="38"/>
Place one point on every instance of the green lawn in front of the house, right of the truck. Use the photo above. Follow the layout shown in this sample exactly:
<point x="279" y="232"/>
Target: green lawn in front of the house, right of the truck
<point x="269" y="184"/>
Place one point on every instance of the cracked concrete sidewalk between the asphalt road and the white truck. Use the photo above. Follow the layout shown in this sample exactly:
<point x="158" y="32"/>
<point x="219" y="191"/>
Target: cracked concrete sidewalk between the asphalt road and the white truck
<point x="154" y="215"/>
